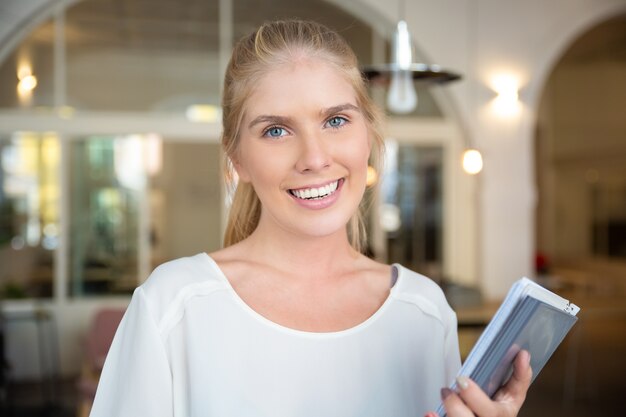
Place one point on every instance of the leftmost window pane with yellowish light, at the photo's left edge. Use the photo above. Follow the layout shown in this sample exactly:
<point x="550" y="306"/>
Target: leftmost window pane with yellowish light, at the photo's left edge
<point x="29" y="217"/>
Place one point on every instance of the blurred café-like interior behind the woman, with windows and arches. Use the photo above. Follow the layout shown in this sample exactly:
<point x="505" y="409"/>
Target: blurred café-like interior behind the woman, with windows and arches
<point x="110" y="165"/>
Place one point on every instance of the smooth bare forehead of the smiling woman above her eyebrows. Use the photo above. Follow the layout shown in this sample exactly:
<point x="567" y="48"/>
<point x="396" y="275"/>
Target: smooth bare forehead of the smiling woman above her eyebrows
<point x="303" y="84"/>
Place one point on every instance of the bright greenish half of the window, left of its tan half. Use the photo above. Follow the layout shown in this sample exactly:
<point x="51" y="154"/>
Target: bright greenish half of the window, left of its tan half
<point x="107" y="181"/>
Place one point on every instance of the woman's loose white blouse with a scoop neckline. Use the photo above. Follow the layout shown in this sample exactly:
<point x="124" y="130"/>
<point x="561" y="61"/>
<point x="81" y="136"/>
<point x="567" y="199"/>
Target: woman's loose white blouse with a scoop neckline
<point x="189" y="346"/>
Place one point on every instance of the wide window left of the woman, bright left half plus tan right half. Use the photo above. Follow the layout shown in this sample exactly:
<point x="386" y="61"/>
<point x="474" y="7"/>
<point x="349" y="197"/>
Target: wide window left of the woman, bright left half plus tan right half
<point x="137" y="201"/>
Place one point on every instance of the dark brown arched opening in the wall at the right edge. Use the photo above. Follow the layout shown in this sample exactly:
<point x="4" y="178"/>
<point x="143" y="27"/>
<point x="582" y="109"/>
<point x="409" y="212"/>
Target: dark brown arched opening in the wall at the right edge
<point x="580" y="154"/>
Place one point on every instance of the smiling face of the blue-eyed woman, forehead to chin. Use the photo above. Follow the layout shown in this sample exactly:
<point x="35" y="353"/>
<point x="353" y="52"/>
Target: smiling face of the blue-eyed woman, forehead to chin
<point x="304" y="147"/>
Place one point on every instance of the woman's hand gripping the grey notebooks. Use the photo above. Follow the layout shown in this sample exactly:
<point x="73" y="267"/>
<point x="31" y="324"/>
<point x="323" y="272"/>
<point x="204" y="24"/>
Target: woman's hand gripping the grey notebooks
<point x="472" y="400"/>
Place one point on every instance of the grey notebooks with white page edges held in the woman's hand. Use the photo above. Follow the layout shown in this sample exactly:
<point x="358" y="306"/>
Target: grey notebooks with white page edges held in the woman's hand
<point x="531" y="318"/>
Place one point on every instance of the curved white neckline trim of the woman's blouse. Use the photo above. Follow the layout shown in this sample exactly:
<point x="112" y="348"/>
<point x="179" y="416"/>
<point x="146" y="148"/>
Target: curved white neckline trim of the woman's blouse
<point x="396" y="276"/>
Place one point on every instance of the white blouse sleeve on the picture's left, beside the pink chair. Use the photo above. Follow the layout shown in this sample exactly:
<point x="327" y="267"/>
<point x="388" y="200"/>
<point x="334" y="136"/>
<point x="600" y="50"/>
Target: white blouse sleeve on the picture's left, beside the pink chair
<point x="136" y="379"/>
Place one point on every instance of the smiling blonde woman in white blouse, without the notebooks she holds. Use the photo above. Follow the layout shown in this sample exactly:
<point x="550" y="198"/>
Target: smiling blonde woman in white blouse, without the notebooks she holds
<point x="290" y="319"/>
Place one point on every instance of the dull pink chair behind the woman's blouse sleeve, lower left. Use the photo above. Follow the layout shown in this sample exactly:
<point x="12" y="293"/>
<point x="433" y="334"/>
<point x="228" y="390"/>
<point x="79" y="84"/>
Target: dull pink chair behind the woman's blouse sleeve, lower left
<point x="97" y="343"/>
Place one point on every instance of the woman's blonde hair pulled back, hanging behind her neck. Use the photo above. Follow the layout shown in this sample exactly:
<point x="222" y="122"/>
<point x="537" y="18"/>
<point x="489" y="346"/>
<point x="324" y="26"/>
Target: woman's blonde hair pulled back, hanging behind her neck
<point x="274" y="44"/>
